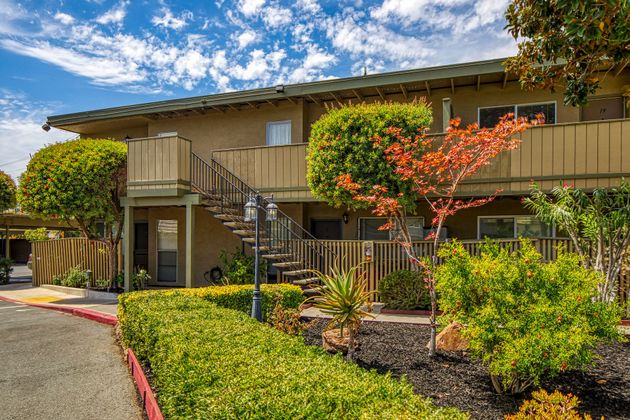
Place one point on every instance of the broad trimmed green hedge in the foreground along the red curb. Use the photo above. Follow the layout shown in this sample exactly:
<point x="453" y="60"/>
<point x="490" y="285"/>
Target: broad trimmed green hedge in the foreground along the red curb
<point x="211" y="362"/>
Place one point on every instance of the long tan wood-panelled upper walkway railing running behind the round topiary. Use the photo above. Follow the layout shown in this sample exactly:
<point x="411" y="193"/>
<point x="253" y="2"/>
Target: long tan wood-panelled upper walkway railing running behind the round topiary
<point x="587" y="154"/>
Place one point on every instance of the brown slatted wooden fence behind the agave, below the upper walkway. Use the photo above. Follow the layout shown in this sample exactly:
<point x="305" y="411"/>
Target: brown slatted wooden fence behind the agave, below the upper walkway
<point x="380" y="258"/>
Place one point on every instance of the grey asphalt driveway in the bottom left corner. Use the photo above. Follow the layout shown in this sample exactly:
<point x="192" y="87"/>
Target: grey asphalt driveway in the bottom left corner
<point x="54" y="365"/>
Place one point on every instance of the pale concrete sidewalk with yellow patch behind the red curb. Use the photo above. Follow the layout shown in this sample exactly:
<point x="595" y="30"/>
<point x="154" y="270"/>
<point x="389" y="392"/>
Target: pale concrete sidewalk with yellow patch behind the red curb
<point x="26" y="293"/>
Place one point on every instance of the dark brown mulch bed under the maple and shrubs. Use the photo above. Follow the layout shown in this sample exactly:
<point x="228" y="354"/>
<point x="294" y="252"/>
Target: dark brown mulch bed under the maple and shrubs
<point x="452" y="379"/>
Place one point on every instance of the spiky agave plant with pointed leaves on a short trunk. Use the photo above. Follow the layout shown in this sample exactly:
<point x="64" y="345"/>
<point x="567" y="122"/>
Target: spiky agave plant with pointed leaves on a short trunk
<point x="343" y="297"/>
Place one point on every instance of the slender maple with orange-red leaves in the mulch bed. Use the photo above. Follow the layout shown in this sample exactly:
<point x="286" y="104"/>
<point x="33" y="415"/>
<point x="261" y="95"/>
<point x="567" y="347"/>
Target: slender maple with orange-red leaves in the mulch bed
<point x="436" y="171"/>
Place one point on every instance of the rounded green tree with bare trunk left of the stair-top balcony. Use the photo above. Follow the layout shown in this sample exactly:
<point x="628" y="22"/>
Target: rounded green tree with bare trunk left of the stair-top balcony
<point x="79" y="180"/>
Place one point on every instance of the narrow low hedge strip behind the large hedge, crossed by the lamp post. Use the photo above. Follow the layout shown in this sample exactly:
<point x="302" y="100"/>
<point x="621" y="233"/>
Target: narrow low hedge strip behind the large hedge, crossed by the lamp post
<point x="237" y="297"/>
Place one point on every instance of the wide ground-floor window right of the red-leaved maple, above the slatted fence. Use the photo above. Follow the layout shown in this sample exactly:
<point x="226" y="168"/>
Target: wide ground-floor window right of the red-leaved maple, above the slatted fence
<point x="513" y="227"/>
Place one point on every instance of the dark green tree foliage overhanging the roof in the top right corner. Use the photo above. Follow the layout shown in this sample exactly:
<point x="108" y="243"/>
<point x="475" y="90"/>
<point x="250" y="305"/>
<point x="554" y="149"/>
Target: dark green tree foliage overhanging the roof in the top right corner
<point x="588" y="36"/>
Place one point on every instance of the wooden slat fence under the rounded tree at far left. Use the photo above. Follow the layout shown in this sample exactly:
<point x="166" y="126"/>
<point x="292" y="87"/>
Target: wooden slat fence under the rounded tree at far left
<point x="56" y="257"/>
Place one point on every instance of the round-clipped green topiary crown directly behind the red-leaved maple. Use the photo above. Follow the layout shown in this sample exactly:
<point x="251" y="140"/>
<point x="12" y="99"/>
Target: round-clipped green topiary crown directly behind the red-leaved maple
<point x="342" y="143"/>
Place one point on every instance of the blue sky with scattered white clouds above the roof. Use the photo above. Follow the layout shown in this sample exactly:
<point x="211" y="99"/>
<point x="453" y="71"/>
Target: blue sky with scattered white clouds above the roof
<point x="59" y="57"/>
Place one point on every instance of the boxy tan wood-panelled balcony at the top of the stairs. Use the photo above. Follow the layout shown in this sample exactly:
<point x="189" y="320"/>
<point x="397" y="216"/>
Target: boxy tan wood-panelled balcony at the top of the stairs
<point x="158" y="166"/>
